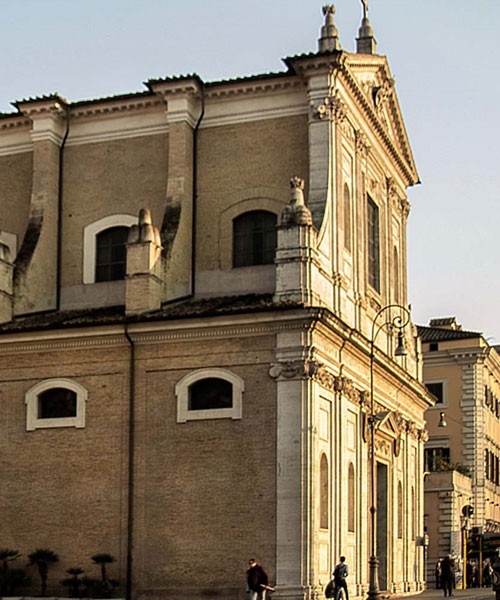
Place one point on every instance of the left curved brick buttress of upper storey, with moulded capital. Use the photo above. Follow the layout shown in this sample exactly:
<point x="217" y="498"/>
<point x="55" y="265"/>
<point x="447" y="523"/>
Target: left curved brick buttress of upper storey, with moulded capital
<point x="36" y="277"/>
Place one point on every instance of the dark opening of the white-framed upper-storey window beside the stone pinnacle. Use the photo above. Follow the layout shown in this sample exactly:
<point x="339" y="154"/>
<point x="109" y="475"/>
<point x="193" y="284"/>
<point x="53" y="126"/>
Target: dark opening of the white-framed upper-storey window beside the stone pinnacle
<point x="111" y="254"/>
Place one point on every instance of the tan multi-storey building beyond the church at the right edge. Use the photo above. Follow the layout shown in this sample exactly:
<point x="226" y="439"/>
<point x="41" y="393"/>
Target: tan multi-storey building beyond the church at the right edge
<point x="462" y="489"/>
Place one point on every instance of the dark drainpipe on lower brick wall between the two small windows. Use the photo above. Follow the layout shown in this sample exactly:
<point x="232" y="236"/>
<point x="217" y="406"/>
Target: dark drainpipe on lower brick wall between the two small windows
<point x="131" y="470"/>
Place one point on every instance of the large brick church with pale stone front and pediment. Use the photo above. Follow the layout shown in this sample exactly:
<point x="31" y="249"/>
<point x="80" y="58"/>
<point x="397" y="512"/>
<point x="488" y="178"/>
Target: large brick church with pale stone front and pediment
<point x="198" y="290"/>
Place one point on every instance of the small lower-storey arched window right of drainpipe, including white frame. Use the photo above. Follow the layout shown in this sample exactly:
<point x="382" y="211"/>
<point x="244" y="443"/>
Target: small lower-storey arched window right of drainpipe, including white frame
<point x="209" y="394"/>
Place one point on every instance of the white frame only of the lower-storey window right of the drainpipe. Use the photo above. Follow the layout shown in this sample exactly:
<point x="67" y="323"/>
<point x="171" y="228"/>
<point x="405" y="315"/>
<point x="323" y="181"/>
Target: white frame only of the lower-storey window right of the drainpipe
<point x="182" y="394"/>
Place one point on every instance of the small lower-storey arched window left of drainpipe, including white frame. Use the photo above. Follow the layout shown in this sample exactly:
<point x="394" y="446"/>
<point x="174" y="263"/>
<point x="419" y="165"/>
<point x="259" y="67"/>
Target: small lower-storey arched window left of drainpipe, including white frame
<point x="55" y="403"/>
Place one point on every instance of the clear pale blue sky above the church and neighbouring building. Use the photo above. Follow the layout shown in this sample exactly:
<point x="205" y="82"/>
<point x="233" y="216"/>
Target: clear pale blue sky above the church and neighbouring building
<point x="443" y="54"/>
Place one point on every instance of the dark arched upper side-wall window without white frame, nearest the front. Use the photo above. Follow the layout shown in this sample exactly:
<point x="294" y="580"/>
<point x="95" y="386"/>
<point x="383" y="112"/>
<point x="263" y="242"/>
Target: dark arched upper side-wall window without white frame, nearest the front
<point x="254" y="238"/>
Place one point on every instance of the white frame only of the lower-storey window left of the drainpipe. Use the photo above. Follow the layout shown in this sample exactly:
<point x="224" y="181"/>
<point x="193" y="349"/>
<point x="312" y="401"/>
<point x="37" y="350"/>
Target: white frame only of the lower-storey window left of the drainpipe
<point x="33" y="421"/>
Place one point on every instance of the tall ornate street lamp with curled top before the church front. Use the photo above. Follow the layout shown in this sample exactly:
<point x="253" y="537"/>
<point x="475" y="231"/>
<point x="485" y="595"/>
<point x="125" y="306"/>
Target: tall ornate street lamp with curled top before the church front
<point x="384" y="319"/>
